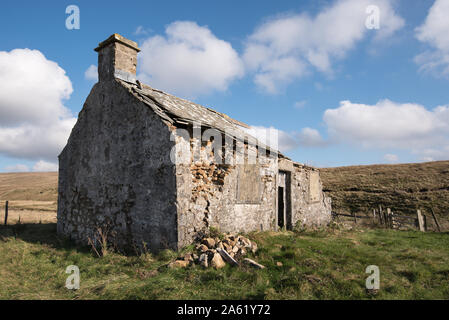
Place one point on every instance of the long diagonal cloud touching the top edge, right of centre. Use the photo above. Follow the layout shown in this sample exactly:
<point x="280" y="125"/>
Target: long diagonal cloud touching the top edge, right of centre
<point x="288" y="47"/>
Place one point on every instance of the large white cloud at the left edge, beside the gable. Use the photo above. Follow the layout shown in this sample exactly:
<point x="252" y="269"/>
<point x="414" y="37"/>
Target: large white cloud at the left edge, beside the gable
<point x="34" y="123"/>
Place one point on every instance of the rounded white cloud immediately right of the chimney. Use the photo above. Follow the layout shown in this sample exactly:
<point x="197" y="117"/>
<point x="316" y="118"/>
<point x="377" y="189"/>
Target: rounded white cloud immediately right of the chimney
<point x="189" y="60"/>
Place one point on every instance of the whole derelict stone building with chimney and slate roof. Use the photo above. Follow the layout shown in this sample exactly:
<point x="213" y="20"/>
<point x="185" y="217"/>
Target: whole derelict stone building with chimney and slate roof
<point x="150" y="169"/>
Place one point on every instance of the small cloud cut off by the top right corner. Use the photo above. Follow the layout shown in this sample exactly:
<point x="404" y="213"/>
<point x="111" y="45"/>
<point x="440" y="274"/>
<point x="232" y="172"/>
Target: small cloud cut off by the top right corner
<point x="435" y="32"/>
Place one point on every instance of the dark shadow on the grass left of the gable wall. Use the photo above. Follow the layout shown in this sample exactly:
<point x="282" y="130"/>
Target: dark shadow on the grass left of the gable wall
<point x="38" y="233"/>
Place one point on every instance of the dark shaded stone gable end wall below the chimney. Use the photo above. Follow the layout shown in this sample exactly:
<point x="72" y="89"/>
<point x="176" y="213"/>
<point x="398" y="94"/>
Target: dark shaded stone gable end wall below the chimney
<point x="115" y="173"/>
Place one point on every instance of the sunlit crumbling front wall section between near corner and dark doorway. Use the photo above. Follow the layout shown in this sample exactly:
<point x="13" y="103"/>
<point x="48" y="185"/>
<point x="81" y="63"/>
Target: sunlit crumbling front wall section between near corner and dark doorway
<point x="207" y="195"/>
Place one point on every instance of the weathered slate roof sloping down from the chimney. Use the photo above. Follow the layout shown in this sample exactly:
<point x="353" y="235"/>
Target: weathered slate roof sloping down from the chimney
<point x="180" y="111"/>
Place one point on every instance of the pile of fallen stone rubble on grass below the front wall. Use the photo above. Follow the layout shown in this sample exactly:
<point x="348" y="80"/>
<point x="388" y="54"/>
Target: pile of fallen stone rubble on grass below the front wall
<point x="216" y="253"/>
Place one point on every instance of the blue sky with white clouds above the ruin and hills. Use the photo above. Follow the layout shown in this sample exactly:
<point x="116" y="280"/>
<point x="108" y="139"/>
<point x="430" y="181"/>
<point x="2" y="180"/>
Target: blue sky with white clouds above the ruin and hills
<point x="313" y="56"/>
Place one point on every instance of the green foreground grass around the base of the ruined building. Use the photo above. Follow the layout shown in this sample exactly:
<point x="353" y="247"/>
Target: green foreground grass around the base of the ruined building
<point x="316" y="265"/>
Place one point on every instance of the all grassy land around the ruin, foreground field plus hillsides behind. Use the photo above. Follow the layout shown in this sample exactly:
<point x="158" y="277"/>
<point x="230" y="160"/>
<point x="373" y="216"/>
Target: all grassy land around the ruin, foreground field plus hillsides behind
<point x="326" y="264"/>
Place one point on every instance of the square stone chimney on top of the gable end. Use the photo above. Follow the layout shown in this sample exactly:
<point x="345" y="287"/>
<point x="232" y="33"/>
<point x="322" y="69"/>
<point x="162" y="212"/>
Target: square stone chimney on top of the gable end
<point x="117" y="58"/>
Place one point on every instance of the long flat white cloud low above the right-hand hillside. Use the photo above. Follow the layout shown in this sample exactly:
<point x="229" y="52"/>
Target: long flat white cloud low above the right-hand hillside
<point x="388" y="124"/>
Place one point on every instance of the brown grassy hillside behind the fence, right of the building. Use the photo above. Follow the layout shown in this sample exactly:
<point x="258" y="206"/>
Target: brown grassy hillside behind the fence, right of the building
<point x="402" y="187"/>
